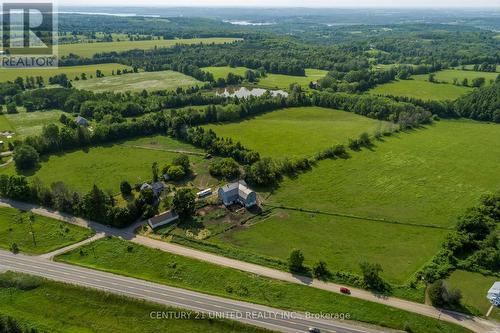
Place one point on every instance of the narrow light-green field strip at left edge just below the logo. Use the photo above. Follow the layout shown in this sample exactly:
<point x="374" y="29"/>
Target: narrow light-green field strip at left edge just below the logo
<point x="71" y="71"/>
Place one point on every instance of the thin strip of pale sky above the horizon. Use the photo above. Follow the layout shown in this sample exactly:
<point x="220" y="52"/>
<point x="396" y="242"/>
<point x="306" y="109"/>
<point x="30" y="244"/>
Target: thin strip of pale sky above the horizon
<point x="287" y="3"/>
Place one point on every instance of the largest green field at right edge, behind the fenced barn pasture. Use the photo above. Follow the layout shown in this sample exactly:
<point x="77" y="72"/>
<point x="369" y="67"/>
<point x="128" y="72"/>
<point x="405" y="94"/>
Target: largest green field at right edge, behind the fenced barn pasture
<point x="428" y="176"/>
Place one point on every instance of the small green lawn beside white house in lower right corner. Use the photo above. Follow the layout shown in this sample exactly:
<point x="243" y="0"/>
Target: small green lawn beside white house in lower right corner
<point x="474" y="288"/>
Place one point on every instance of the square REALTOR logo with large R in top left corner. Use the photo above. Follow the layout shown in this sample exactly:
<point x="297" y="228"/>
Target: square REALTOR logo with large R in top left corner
<point x="29" y="35"/>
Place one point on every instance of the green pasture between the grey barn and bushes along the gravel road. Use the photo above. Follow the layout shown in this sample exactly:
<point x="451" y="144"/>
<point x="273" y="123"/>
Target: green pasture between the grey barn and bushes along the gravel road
<point x="342" y="242"/>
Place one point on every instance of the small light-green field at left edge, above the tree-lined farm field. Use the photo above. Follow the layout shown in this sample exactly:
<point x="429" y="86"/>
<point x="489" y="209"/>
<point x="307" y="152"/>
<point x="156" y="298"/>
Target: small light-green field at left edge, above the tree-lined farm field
<point x="28" y="123"/>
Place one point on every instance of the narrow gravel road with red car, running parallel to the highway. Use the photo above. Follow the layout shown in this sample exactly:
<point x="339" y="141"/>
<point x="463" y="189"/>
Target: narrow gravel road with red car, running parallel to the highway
<point x="475" y="324"/>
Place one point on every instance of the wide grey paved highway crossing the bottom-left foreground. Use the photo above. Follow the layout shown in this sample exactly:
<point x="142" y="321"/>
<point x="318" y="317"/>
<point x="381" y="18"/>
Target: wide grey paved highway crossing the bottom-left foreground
<point x="274" y="319"/>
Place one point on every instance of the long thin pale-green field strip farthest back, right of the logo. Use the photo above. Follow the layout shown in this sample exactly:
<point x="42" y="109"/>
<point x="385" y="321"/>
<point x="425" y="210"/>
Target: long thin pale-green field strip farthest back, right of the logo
<point x="87" y="50"/>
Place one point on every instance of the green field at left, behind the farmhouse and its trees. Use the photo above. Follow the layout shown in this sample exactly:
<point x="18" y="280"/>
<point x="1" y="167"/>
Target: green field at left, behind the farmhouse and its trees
<point x="106" y="166"/>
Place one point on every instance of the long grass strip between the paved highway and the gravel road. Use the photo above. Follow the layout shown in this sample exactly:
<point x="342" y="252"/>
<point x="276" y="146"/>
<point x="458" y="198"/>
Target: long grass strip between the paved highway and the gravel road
<point x="111" y="254"/>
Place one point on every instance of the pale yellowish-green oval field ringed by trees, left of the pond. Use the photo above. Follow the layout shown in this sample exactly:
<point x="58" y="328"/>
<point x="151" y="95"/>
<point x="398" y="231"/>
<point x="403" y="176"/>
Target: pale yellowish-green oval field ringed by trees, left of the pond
<point x="165" y="80"/>
